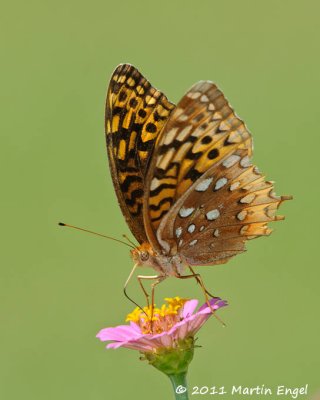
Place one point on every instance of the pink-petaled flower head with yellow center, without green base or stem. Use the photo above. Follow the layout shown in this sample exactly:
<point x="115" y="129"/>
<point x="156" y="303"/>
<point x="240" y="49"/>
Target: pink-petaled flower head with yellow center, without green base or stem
<point x="172" y="325"/>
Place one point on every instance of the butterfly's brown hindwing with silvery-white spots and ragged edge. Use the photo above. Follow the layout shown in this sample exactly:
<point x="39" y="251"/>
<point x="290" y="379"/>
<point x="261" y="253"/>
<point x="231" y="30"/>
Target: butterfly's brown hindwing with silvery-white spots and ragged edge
<point x="233" y="204"/>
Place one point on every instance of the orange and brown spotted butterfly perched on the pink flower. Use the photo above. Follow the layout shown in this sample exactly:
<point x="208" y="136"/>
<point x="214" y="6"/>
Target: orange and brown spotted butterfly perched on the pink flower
<point x="183" y="176"/>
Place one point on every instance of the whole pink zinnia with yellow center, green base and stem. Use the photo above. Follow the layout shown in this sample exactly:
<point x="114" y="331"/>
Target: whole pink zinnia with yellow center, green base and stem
<point x="165" y="336"/>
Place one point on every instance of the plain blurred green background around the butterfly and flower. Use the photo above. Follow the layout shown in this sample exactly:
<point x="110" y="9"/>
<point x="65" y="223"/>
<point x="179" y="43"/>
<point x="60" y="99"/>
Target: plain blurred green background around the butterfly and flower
<point x="59" y="287"/>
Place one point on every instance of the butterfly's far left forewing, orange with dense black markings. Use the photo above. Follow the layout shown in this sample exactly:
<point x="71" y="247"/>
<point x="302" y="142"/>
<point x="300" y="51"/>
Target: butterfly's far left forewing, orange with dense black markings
<point x="135" y="114"/>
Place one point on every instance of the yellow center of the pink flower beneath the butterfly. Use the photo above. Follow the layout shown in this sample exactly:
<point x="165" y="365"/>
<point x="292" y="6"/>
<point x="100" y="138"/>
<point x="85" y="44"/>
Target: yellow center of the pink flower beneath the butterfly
<point x="157" y="320"/>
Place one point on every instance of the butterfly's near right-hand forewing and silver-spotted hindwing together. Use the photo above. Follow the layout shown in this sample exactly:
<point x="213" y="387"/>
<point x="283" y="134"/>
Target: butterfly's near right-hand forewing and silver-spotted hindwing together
<point x="206" y="199"/>
